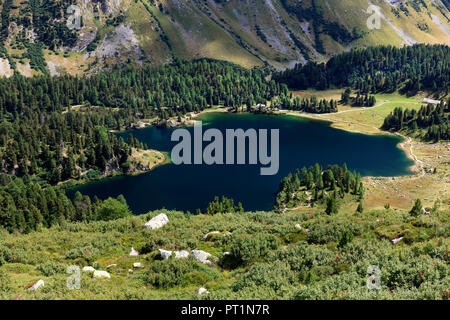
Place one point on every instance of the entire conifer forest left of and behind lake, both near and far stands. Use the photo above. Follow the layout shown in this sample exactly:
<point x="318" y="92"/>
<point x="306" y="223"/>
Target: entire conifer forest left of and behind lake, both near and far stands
<point x="56" y="128"/>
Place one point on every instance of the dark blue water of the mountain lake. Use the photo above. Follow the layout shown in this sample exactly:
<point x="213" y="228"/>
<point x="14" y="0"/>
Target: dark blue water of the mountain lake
<point x="302" y="143"/>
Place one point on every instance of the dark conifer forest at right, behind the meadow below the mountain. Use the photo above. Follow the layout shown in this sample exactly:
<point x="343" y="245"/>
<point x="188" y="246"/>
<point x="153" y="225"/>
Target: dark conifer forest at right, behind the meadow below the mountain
<point x="377" y="69"/>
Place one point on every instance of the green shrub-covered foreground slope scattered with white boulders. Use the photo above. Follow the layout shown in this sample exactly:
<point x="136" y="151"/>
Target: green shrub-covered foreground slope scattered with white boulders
<point x="264" y="256"/>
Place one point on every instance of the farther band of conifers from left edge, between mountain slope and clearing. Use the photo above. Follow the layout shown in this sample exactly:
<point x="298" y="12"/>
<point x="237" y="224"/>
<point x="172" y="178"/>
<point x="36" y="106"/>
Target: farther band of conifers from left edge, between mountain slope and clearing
<point x="147" y="91"/>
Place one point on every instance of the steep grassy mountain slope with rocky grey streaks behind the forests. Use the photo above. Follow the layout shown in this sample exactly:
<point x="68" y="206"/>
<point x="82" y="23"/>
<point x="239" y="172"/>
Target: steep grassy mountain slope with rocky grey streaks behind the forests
<point x="280" y="33"/>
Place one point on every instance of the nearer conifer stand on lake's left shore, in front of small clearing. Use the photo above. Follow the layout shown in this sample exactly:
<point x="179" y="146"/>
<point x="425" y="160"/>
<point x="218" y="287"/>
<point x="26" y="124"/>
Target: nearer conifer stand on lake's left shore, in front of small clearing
<point x="54" y="147"/>
